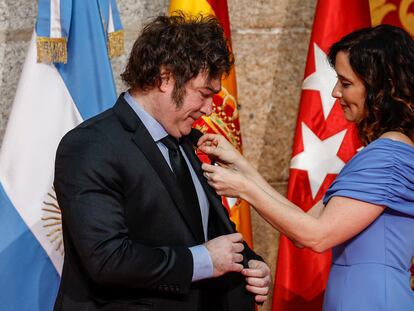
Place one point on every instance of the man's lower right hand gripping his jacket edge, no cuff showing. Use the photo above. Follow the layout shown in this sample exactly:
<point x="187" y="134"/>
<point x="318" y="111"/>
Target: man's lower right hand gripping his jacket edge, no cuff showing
<point x="258" y="279"/>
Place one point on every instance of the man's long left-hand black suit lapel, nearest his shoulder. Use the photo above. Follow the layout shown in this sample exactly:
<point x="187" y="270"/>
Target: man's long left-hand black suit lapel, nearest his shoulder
<point x="143" y="140"/>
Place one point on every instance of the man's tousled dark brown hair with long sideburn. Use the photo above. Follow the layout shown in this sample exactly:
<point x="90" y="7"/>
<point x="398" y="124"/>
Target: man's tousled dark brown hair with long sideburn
<point x="182" y="44"/>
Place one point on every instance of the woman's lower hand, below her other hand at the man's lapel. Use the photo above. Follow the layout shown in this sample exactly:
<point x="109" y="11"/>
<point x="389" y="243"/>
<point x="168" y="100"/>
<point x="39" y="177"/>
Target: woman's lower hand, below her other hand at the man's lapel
<point x="225" y="181"/>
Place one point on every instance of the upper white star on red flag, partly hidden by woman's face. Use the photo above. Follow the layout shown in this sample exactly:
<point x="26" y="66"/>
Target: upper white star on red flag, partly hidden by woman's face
<point x="322" y="80"/>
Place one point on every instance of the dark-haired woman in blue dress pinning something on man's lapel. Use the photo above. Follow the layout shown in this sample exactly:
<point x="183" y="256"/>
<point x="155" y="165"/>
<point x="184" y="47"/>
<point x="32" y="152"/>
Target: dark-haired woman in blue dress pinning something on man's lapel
<point x="367" y="215"/>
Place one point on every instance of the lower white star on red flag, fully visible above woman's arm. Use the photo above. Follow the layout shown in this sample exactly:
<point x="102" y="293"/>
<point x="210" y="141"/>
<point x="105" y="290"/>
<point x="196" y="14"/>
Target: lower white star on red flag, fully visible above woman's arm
<point x="319" y="157"/>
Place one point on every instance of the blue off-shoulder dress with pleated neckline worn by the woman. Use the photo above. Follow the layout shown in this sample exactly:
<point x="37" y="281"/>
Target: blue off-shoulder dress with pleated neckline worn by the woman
<point x="371" y="271"/>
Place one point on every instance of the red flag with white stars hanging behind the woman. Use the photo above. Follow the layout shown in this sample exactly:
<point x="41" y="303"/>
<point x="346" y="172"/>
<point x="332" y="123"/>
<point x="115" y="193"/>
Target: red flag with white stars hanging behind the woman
<point x="324" y="142"/>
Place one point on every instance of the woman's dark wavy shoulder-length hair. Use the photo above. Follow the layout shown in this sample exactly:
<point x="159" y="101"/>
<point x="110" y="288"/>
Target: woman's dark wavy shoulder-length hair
<point x="383" y="58"/>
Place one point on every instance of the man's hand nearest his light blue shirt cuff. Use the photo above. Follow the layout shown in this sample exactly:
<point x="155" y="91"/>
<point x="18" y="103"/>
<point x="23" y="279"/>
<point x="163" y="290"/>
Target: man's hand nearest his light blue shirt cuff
<point x="225" y="253"/>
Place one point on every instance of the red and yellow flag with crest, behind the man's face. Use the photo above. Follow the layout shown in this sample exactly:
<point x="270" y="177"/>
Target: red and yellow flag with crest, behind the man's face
<point x="225" y="116"/>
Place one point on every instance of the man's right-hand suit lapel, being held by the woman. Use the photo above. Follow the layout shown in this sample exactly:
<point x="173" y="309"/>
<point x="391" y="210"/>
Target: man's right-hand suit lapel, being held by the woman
<point x="215" y="200"/>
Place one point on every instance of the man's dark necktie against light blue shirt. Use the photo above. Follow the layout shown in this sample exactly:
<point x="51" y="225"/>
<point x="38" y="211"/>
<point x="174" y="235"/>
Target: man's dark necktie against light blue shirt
<point x="182" y="174"/>
